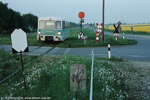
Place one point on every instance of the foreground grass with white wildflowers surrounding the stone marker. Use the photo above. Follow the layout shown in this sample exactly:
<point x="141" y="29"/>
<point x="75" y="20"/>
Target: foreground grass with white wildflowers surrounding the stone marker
<point x="47" y="78"/>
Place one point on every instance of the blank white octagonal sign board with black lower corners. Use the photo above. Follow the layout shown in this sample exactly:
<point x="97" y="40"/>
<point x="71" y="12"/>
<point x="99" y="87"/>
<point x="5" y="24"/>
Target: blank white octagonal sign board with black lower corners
<point x="19" y="41"/>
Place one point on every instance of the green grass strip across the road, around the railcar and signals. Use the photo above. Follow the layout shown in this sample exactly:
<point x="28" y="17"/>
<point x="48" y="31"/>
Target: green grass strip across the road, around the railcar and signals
<point x="73" y="40"/>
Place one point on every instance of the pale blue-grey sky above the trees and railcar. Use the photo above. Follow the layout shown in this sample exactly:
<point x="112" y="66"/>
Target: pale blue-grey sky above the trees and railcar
<point x="128" y="11"/>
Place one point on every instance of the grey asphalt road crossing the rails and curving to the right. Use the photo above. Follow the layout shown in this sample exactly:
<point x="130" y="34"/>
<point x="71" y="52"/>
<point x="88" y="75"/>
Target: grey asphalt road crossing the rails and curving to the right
<point x="139" y="52"/>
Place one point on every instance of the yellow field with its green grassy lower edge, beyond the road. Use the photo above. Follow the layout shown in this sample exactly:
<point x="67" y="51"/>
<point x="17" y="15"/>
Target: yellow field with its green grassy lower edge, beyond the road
<point x="142" y="29"/>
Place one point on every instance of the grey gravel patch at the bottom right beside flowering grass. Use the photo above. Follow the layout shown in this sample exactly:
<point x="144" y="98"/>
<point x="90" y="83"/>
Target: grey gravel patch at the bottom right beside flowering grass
<point x="138" y="79"/>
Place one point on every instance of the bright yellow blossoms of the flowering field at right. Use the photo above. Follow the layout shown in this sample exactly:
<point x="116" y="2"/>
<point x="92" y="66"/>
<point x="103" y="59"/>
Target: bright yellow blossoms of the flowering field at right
<point x="136" y="27"/>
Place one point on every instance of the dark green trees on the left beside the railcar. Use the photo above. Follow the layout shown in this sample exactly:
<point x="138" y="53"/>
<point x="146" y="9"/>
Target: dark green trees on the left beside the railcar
<point x="10" y="20"/>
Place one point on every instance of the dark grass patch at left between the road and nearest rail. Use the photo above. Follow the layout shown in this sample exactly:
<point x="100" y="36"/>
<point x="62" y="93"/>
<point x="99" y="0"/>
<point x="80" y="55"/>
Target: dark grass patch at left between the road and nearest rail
<point x="10" y="63"/>
